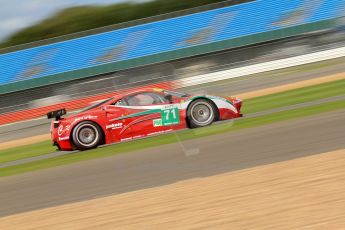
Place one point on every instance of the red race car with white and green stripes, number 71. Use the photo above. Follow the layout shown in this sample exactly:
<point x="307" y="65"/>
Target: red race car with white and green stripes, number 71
<point x="138" y="114"/>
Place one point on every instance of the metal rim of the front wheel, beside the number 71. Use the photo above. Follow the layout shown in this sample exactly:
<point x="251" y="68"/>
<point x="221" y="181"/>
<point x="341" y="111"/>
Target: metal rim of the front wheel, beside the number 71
<point x="202" y="113"/>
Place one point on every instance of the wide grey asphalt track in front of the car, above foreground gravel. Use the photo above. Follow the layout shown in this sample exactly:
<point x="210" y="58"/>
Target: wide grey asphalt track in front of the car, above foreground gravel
<point x="171" y="163"/>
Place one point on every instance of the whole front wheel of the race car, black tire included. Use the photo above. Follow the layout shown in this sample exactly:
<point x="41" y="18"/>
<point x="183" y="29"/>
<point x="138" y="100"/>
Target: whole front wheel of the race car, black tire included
<point x="200" y="113"/>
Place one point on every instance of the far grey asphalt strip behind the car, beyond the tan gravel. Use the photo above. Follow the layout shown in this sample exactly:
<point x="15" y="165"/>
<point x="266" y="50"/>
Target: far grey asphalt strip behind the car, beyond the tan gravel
<point x="229" y="87"/>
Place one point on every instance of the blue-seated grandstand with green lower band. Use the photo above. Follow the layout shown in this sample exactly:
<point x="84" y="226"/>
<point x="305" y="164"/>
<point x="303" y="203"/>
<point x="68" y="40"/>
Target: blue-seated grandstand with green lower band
<point x="180" y="37"/>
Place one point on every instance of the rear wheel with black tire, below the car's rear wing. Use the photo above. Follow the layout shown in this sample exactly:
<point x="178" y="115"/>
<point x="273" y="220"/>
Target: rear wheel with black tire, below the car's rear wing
<point x="87" y="135"/>
